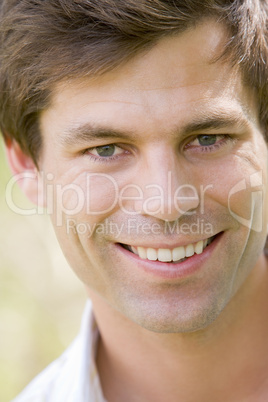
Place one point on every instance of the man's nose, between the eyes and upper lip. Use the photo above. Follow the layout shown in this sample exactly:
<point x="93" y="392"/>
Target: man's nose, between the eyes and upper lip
<point x="166" y="189"/>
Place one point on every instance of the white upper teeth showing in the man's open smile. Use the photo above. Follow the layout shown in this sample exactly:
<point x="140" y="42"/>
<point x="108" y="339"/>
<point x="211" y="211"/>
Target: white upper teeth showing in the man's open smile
<point x="174" y="255"/>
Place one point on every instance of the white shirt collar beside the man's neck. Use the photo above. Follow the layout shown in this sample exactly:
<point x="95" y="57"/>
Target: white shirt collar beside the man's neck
<point x="73" y="376"/>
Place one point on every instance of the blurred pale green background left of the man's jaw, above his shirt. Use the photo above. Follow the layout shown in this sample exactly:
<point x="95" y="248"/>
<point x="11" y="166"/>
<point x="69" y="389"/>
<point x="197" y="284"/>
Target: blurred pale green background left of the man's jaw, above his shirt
<point x="41" y="300"/>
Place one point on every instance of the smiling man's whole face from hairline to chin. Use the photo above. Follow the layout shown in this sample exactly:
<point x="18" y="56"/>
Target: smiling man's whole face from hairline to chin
<point x="161" y="157"/>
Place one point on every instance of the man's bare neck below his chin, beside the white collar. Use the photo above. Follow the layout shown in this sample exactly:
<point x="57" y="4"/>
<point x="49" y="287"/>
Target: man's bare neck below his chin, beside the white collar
<point x="228" y="359"/>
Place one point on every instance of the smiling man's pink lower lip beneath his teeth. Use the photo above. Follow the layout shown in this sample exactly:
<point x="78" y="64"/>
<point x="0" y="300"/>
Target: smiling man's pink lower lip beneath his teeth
<point x="191" y="266"/>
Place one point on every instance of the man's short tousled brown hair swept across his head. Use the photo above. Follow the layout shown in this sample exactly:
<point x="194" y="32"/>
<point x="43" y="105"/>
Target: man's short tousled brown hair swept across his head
<point x="45" y="41"/>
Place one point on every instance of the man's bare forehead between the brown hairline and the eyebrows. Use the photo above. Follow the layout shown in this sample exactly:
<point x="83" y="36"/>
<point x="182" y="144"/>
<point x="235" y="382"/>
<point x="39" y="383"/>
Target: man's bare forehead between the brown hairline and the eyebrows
<point x="179" y="78"/>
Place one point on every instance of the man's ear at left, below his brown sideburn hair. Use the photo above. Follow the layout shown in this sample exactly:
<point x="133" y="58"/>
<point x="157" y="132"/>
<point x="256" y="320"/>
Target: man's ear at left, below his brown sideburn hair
<point x="26" y="173"/>
